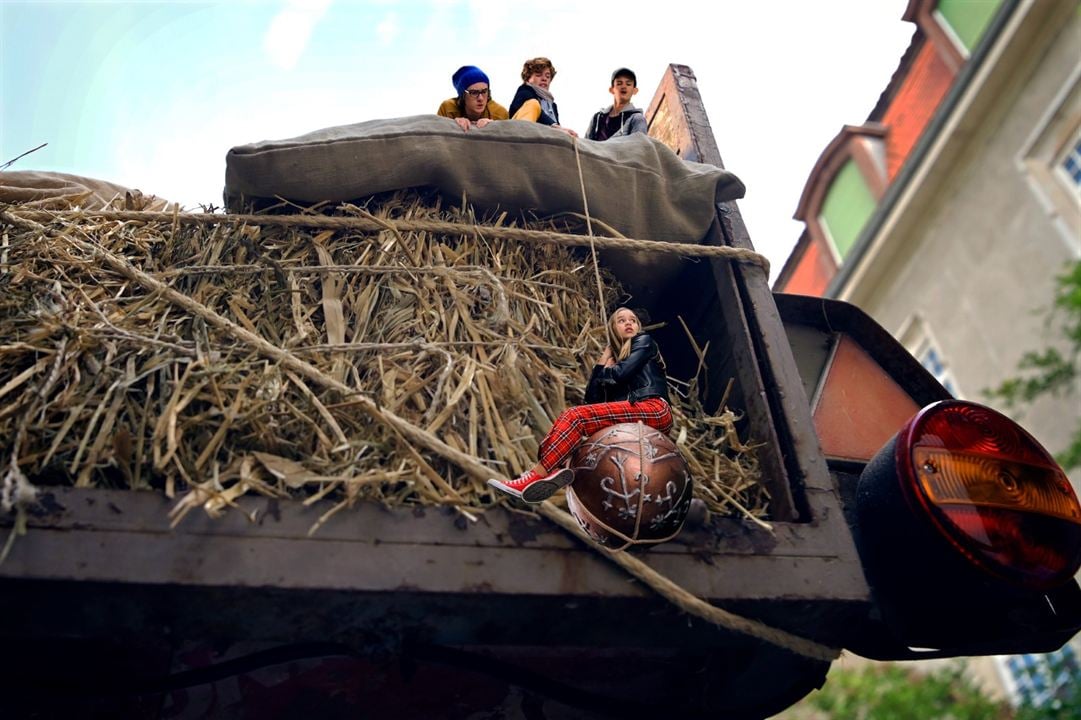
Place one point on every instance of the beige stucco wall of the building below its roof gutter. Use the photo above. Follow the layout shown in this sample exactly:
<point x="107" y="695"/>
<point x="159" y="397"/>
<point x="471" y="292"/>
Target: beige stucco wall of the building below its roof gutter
<point x="976" y="260"/>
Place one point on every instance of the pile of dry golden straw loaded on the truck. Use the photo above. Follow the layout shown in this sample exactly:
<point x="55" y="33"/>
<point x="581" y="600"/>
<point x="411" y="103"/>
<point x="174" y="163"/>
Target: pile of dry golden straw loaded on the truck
<point x="106" y="381"/>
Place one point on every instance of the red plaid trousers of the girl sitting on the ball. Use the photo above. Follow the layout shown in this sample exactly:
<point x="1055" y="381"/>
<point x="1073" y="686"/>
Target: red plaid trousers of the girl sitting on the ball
<point x="580" y="422"/>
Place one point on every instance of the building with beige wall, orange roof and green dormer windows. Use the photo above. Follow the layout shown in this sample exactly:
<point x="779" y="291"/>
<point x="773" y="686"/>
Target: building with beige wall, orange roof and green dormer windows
<point x="949" y="215"/>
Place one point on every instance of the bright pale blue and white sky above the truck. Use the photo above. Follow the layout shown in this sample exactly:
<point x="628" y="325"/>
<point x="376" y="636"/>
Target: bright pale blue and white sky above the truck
<point x="153" y="96"/>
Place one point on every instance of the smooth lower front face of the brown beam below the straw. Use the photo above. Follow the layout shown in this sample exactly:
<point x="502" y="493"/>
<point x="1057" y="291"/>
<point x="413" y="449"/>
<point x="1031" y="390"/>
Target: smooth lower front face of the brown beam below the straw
<point x="237" y="563"/>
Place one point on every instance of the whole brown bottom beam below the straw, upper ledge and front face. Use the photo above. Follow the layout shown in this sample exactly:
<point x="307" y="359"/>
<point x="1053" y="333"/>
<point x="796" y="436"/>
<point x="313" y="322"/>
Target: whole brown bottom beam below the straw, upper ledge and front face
<point x="138" y="548"/>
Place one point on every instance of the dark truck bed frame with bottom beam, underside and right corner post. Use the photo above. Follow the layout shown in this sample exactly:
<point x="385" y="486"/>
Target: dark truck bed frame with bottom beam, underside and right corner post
<point x="108" y="608"/>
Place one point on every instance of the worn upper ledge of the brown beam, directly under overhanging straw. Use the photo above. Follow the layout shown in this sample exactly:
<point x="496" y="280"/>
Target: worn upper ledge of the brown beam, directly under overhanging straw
<point x="146" y="513"/>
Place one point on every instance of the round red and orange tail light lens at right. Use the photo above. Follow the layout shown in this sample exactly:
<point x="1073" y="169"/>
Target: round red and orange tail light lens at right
<point x="994" y="492"/>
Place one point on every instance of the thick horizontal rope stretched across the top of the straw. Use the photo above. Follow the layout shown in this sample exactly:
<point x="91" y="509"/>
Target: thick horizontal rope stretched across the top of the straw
<point x="368" y="225"/>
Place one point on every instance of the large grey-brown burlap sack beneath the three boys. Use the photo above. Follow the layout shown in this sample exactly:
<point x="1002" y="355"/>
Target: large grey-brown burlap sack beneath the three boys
<point x="635" y="184"/>
